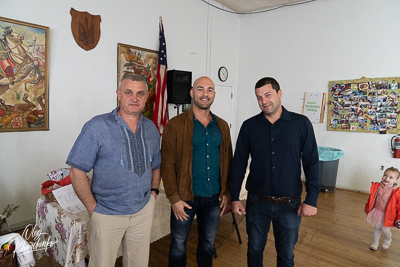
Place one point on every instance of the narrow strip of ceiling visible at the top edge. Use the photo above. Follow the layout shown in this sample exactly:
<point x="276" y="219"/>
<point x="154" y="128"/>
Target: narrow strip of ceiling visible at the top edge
<point x="243" y="6"/>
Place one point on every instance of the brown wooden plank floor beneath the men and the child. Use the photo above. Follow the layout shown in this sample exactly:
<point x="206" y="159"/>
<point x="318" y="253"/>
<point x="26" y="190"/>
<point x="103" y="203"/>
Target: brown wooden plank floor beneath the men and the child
<point x="337" y="236"/>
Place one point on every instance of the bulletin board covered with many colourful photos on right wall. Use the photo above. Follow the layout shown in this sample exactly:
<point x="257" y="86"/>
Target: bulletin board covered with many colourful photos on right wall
<point x="366" y="105"/>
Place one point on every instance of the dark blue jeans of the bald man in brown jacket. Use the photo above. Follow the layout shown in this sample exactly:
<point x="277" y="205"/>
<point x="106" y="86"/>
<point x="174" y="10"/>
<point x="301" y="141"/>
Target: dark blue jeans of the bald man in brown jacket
<point x="207" y="211"/>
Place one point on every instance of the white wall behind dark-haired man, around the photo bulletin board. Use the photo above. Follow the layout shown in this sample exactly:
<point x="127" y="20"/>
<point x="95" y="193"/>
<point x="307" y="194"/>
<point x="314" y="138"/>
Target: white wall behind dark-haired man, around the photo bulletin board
<point x="306" y="46"/>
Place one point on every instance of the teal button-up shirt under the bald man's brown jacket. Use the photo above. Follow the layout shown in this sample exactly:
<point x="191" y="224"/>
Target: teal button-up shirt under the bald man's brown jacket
<point x="205" y="167"/>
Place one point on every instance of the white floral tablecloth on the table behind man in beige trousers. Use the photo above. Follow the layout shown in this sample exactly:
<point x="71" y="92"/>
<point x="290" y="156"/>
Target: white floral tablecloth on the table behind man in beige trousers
<point x="72" y="230"/>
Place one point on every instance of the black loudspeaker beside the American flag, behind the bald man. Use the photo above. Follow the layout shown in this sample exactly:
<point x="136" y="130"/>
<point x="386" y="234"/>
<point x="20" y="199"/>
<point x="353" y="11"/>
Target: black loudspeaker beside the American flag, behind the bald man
<point x="179" y="83"/>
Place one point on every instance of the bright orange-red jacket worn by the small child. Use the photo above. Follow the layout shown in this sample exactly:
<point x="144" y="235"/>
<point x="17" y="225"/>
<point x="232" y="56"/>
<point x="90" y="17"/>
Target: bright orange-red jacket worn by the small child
<point x="393" y="209"/>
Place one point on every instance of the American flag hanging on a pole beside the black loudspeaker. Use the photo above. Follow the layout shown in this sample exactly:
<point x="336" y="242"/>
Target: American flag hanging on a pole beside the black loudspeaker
<point x="160" y="103"/>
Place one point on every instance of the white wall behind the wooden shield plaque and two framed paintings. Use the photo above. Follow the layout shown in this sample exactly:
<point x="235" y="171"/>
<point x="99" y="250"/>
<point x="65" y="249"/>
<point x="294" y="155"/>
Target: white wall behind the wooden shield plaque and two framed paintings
<point x="82" y="83"/>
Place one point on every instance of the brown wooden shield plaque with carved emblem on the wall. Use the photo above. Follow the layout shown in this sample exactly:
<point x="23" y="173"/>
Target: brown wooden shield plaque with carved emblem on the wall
<point x="85" y="29"/>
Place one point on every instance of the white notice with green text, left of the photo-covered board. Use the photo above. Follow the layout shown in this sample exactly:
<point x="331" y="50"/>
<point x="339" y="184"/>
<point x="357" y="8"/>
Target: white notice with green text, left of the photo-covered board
<point x="314" y="106"/>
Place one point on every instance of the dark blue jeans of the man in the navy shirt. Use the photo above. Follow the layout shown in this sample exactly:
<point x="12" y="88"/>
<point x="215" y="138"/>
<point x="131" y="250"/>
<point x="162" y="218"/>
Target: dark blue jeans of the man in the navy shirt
<point x="286" y="223"/>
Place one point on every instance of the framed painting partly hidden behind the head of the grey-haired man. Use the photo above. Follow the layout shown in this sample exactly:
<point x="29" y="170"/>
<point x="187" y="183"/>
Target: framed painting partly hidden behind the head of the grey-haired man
<point x="142" y="61"/>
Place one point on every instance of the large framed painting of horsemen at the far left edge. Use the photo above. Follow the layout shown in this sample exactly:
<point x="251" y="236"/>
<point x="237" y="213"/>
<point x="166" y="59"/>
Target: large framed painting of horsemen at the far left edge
<point x="24" y="76"/>
